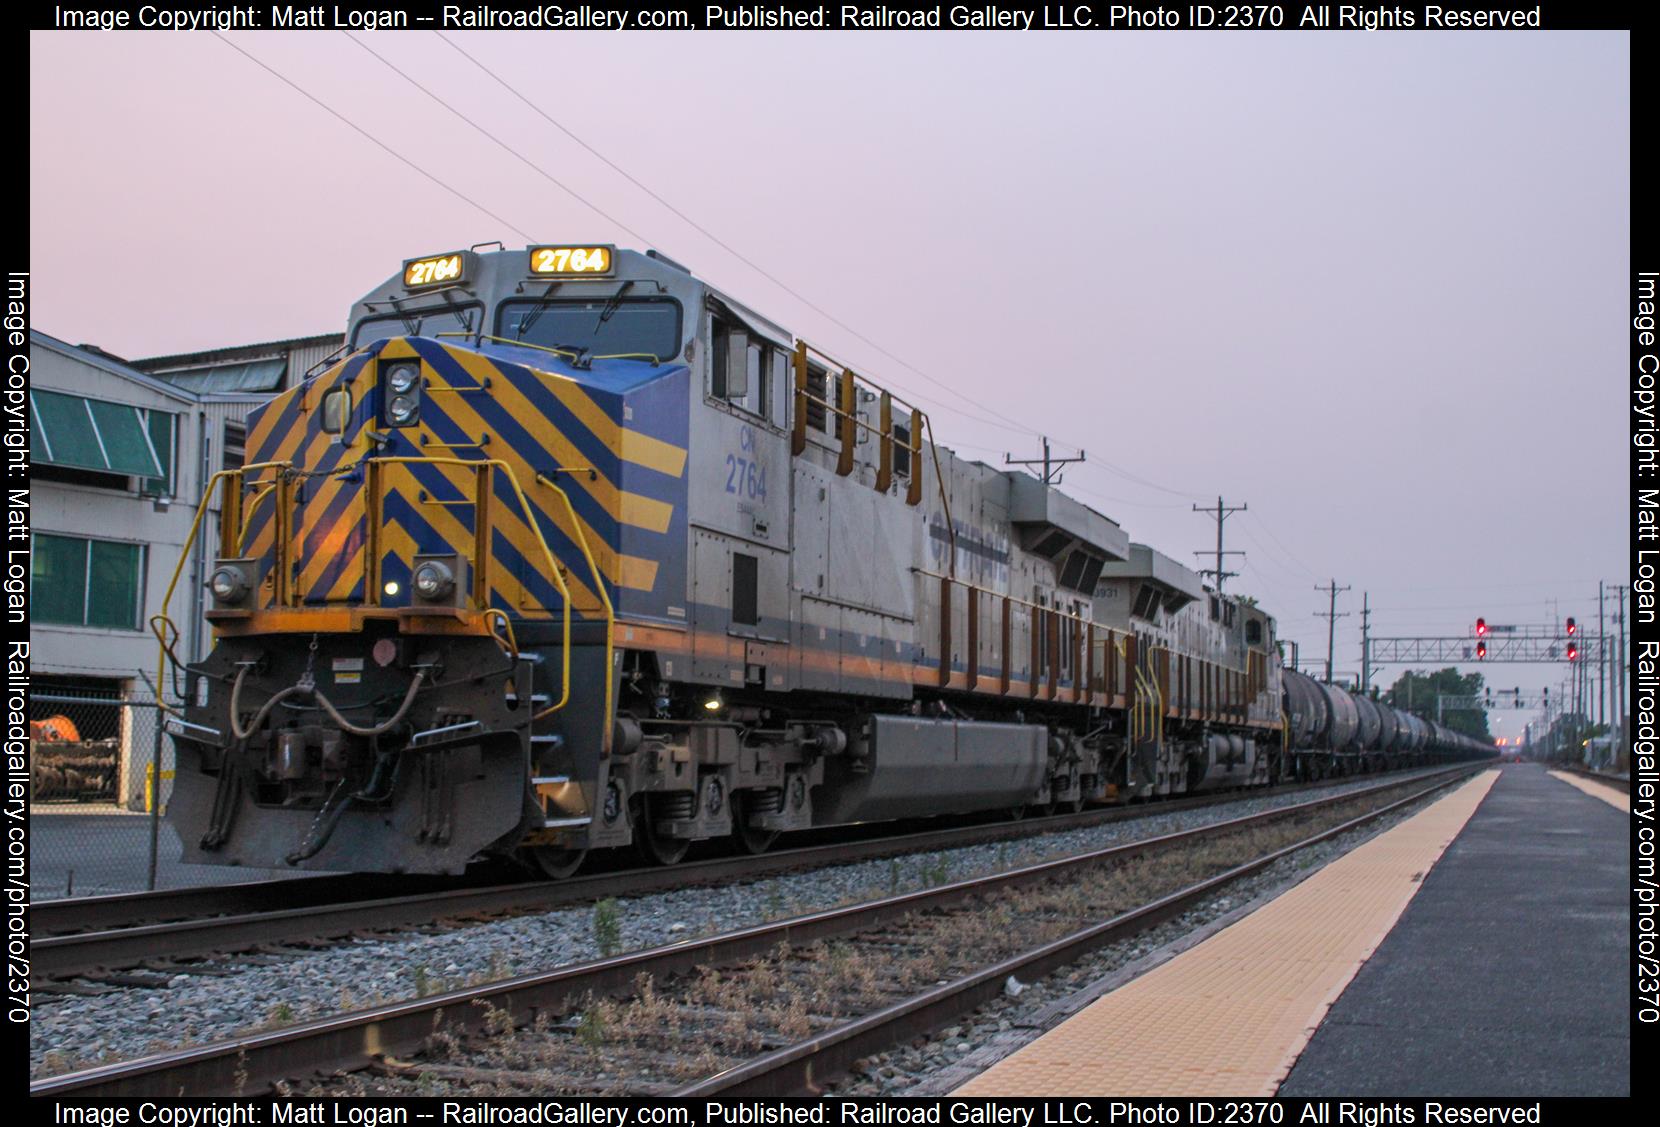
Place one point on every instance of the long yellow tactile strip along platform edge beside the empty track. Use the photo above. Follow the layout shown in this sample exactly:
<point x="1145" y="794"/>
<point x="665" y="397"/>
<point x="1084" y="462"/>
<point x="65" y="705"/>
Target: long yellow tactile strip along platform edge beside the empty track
<point x="1233" y="1015"/>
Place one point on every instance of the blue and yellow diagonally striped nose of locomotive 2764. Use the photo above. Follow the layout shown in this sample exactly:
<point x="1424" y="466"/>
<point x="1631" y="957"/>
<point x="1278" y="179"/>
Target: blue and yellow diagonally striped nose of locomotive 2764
<point x="555" y="432"/>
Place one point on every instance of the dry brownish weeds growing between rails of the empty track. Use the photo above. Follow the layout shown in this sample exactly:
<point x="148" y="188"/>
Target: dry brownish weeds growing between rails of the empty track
<point x="666" y="1035"/>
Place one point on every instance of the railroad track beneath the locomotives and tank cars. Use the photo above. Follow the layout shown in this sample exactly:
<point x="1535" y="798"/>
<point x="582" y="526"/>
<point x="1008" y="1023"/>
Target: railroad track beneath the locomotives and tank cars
<point x="107" y="935"/>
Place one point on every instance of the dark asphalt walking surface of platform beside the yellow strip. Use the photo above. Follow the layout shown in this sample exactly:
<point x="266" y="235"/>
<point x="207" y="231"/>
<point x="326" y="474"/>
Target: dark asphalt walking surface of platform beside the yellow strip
<point x="1508" y="975"/>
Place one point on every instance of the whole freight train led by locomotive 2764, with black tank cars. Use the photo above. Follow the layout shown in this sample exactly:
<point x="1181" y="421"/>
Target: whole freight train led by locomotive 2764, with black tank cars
<point x="577" y="552"/>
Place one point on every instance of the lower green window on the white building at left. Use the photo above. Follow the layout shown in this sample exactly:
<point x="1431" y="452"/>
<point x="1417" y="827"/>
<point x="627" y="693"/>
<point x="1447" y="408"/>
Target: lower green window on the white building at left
<point x="77" y="582"/>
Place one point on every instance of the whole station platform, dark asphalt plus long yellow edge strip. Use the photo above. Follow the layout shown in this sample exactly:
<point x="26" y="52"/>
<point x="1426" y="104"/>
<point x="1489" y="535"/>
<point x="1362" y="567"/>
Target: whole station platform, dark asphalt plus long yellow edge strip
<point x="1478" y="949"/>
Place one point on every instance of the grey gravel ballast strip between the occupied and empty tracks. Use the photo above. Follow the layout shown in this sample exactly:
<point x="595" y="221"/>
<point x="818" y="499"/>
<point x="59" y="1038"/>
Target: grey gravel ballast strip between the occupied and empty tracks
<point x="74" y="1032"/>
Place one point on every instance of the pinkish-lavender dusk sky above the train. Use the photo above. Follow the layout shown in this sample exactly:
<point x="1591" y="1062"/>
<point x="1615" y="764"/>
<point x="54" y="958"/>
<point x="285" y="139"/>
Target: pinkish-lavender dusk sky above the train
<point x="1372" y="285"/>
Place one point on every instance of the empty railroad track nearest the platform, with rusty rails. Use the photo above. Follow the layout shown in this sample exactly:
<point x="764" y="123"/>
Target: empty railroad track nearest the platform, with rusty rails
<point x="384" y="1037"/>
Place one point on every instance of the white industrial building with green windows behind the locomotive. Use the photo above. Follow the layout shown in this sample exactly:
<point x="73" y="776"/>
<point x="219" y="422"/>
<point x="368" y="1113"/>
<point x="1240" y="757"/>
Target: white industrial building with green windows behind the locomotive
<point x="120" y="452"/>
